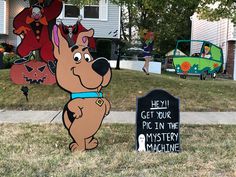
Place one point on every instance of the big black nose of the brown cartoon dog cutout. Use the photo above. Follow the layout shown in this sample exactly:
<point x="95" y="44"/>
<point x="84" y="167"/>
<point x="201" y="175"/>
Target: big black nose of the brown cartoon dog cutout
<point x="101" y="66"/>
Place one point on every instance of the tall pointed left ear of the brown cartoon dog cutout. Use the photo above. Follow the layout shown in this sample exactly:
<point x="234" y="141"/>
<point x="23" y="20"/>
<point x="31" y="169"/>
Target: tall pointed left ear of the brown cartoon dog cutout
<point x="58" y="41"/>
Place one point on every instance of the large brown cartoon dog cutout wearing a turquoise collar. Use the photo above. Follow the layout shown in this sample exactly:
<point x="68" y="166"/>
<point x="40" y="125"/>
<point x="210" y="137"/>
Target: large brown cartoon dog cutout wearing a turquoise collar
<point x="83" y="77"/>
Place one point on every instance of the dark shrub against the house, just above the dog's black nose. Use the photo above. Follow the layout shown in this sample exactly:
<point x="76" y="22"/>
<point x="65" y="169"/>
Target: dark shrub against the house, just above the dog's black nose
<point x="104" y="48"/>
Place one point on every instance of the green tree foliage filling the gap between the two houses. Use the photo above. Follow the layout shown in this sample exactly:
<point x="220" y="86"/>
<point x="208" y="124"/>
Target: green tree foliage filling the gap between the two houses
<point x="170" y="19"/>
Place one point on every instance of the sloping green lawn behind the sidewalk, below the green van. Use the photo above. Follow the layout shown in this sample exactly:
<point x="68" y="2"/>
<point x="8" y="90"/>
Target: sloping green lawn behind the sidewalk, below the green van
<point x="195" y="95"/>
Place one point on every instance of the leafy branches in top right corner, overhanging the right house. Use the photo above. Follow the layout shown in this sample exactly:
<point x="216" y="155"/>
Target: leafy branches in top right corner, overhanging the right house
<point x="217" y="9"/>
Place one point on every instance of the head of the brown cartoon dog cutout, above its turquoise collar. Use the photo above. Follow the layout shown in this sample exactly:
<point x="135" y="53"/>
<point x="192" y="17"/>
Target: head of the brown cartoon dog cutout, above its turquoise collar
<point x="76" y="70"/>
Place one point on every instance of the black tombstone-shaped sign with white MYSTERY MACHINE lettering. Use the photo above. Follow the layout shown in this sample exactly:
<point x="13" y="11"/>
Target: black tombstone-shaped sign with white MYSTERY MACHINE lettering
<point x="157" y="122"/>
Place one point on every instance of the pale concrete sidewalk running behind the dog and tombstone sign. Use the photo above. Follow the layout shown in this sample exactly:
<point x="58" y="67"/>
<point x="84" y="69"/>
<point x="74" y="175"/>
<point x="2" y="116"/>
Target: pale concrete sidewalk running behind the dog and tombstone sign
<point x="115" y="117"/>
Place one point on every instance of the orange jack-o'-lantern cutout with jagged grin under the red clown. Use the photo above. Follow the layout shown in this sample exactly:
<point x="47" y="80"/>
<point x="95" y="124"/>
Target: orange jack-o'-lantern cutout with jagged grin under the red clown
<point x="32" y="72"/>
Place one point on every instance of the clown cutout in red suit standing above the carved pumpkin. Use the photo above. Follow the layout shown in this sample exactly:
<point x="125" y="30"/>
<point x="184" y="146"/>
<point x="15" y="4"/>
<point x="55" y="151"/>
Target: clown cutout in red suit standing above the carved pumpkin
<point x="32" y="24"/>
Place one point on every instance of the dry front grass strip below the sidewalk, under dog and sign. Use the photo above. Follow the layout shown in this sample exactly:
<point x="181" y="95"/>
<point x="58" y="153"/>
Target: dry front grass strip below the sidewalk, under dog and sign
<point x="42" y="150"/>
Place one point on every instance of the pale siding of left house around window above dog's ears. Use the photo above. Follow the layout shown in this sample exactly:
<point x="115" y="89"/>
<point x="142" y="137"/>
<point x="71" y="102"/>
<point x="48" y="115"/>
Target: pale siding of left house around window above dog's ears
<point x="103" y="28"/>
